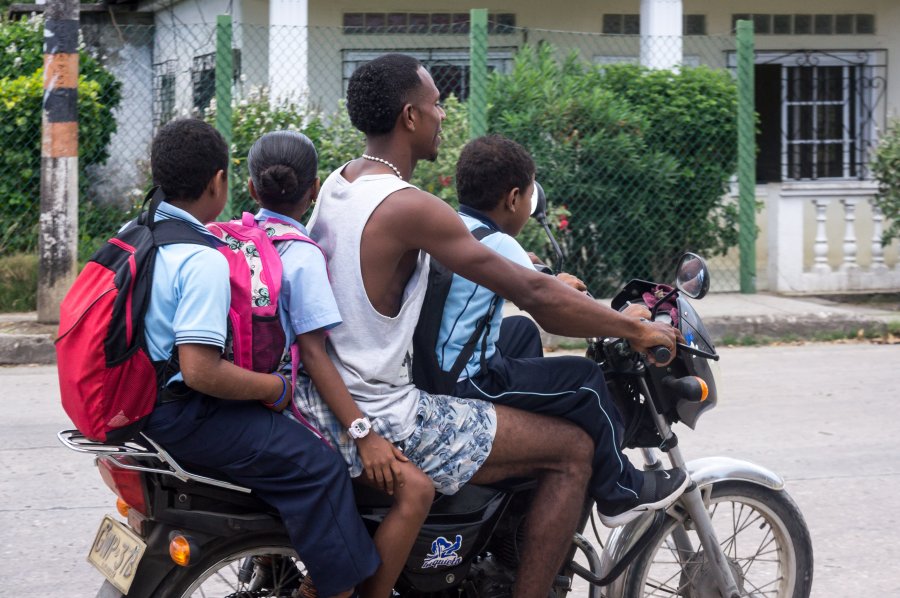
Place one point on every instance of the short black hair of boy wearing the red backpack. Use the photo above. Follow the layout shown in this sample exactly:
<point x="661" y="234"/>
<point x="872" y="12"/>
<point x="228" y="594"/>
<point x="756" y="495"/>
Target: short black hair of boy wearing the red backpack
<point x="186" y="154"/>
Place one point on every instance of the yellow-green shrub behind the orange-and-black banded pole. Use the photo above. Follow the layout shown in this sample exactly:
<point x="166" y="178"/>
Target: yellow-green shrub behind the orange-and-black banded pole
<point x="21" y="94"/>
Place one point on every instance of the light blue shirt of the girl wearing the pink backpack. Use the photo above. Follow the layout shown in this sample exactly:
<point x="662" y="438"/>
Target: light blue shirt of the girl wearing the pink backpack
<point x="306" y="302"/>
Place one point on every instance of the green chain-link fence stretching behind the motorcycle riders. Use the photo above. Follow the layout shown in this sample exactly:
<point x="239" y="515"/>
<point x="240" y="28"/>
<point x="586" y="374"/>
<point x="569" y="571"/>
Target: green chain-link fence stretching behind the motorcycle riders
<point x="635" y="162"/>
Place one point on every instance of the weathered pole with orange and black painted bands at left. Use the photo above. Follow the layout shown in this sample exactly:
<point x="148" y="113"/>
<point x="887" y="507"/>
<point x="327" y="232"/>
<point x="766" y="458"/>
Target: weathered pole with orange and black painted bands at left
<point x="58" y="228"/>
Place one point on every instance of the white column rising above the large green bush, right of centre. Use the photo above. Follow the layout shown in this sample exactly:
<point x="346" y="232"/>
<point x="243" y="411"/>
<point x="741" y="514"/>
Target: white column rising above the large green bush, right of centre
<point x="661" y="31"/>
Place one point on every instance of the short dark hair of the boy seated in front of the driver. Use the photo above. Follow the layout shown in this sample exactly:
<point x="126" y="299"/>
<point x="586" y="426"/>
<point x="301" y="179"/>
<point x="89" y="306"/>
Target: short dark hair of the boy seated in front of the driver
<point x="488" y="168"/>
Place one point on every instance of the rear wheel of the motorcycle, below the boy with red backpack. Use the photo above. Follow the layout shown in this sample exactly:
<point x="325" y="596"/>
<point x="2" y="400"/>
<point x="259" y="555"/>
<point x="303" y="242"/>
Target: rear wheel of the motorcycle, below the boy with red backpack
<point x="251" y="567"/>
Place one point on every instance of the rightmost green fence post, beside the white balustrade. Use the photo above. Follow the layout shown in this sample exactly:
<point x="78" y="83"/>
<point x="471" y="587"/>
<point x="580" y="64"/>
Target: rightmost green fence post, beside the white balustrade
<point x="746" y="157"/>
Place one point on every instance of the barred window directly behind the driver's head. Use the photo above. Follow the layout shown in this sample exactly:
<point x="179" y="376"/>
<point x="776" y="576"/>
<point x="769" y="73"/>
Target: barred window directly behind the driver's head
<point x="449" y="68"/>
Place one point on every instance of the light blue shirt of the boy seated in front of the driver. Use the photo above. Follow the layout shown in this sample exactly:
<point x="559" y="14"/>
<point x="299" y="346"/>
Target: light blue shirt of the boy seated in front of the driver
<point x="468" y="302"/>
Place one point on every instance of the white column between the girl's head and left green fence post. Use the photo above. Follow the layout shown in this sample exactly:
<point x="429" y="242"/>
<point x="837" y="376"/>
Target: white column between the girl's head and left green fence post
<point x="288" y="50"/>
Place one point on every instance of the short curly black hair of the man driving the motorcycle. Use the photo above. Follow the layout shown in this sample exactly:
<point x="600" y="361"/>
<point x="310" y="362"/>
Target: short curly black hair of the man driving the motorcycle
<point x="378" y="90"/>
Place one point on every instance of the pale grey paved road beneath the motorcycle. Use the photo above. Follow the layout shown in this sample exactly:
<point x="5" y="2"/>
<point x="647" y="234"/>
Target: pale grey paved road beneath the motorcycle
<point x="823" y="416"/>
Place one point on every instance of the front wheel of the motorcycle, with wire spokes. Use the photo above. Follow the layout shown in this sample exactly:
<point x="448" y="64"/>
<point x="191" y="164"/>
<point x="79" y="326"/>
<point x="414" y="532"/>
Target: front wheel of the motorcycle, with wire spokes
<point x="763" y="536"/>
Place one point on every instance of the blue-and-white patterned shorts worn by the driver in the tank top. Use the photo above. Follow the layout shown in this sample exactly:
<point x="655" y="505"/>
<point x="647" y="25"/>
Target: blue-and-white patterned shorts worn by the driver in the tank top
<point x="452" y="439"/>
